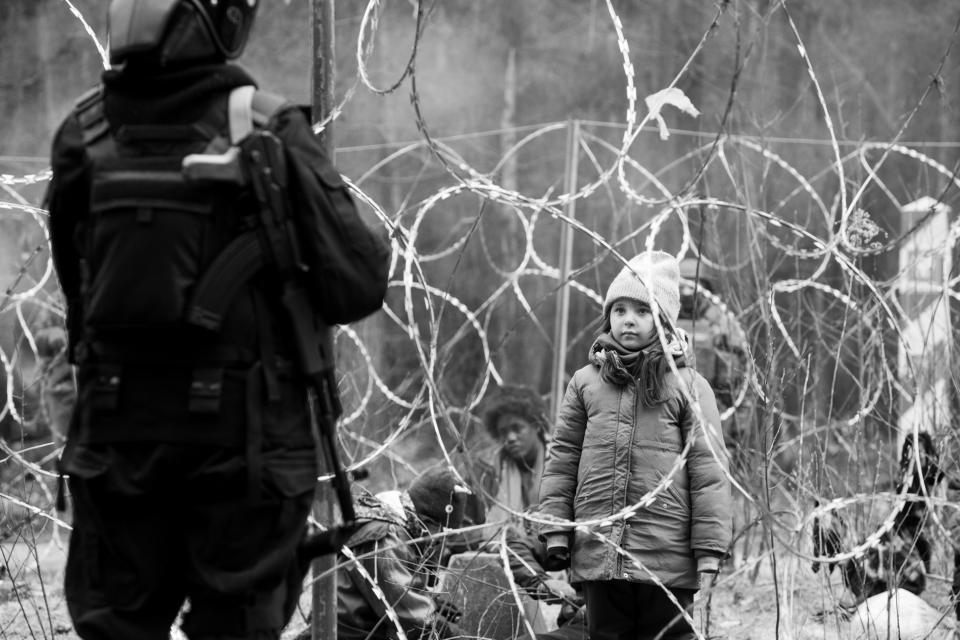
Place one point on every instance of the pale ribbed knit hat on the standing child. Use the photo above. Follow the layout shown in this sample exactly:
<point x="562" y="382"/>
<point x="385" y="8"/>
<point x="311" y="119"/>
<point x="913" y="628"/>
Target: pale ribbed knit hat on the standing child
<point x="660" y="271"/>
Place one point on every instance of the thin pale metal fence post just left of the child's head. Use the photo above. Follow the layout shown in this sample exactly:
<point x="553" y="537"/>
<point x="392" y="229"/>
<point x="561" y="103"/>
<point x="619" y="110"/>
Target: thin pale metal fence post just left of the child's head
<point x="566" y="258"/>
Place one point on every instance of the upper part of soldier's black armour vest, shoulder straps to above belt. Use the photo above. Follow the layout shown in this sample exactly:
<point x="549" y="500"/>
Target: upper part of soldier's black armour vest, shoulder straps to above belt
<point x="152" y="234"/>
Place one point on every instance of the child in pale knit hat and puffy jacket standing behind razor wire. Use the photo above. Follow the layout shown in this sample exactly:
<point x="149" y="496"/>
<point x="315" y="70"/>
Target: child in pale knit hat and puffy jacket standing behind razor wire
<point x="624" y="420"/>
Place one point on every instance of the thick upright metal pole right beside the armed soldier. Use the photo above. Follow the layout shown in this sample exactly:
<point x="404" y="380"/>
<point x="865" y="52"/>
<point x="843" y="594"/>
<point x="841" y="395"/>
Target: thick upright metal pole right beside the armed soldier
<point x="324" y="589"/>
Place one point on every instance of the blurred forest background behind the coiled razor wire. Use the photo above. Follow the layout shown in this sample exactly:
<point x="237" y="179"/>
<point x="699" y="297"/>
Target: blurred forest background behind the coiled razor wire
<point x="817" y="122"/>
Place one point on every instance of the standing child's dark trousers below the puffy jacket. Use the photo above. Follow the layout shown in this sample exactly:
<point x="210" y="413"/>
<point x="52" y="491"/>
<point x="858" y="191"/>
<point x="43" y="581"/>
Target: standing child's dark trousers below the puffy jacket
<point x="621" y="610"/>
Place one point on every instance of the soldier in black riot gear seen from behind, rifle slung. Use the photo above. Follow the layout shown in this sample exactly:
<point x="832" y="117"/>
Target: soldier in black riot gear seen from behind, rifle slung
<point x="191" y="457"/>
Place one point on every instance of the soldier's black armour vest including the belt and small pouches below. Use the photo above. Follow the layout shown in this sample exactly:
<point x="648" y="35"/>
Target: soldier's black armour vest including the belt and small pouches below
<point x="147" y="373"/>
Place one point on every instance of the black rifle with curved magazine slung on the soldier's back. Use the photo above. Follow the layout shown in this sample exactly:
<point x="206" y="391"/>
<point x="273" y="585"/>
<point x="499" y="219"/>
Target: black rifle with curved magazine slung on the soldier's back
<point x="259" y="161"/>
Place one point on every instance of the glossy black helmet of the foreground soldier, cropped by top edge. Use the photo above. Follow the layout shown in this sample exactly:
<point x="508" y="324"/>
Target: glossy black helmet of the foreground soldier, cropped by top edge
<point x="143" y="26"/>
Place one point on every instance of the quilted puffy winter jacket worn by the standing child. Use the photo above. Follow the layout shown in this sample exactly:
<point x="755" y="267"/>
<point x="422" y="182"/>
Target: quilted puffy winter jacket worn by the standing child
<point x="609" y="451"/>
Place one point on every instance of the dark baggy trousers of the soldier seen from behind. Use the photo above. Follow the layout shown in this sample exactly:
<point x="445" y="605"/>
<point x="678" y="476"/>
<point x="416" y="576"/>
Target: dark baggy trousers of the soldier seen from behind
<point x="137" y="552"/>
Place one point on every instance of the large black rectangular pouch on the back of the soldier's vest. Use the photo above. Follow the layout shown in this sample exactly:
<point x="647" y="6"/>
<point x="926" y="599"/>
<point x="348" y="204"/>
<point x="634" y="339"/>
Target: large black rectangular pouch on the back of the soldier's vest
<point x="145" y="252"/>
